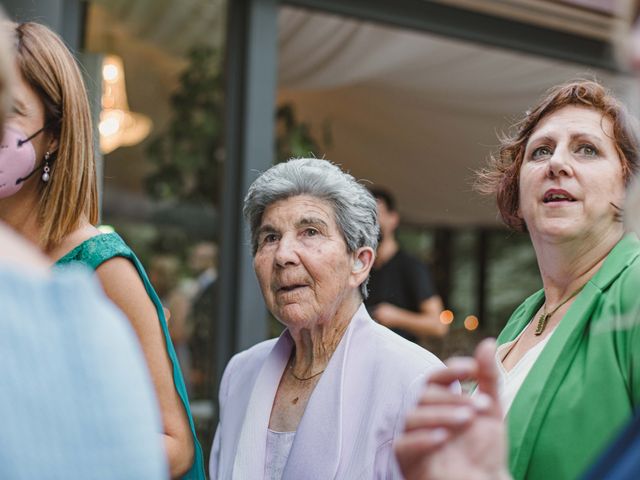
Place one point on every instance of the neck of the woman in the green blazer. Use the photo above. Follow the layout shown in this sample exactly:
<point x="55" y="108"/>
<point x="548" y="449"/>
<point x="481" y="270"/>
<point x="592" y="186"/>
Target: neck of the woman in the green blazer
<point x="567" y="265"/>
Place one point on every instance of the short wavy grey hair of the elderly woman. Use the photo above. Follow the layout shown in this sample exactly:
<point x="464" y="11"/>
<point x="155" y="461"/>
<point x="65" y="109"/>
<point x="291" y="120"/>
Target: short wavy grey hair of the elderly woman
<point x="354" y="207"/>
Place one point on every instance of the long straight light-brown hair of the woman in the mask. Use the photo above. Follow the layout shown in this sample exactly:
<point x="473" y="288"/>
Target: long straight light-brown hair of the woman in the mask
<point x="50" y="69"/>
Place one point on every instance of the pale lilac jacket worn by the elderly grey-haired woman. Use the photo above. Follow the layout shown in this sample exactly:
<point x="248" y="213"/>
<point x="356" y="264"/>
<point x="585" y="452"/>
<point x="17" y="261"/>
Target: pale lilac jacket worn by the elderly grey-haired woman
<point x="353" y="415"/>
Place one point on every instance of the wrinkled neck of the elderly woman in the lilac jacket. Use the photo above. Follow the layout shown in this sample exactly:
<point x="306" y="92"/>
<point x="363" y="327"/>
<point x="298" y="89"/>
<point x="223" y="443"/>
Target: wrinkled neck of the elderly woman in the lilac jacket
<point x="315" y="345"/>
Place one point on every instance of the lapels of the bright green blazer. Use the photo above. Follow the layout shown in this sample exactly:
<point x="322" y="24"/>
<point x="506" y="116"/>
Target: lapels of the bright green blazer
<point x="534" y="398"/>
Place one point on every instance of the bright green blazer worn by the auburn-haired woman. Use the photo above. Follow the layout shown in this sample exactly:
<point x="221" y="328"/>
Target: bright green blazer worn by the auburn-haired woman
<point x="586" y="382"/>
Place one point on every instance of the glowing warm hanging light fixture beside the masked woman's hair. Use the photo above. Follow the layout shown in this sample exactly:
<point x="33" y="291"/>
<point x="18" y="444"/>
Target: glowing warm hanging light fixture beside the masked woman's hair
<point x="119" y="127"/>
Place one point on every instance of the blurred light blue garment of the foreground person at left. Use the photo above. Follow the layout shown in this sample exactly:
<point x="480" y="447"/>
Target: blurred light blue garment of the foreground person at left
<point x="75" y="395"/>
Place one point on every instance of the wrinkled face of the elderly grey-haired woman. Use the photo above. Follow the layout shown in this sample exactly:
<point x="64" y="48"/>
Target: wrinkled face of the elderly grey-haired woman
<point x="302" y="264"/>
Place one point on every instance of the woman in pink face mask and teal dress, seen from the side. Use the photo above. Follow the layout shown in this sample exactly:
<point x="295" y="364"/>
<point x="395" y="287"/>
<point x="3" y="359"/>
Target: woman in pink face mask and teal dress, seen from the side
<point x="48" y="194"/>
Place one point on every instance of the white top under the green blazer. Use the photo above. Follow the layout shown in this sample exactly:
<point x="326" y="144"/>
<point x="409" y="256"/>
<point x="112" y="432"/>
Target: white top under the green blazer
<point x="510" y="382"/>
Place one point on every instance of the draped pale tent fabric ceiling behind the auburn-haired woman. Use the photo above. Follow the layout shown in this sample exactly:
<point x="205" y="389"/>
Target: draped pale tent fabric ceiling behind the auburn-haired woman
<point x="413" y="112"/>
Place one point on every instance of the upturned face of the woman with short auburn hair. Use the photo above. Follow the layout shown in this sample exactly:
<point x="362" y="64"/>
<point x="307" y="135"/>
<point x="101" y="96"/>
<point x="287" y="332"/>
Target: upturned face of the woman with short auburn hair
<point x="570" y="176"/>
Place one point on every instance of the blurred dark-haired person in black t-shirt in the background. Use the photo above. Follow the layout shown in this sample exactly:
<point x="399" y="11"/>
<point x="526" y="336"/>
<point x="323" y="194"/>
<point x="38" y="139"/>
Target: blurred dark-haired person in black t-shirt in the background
<point x="402" y="295"/>
